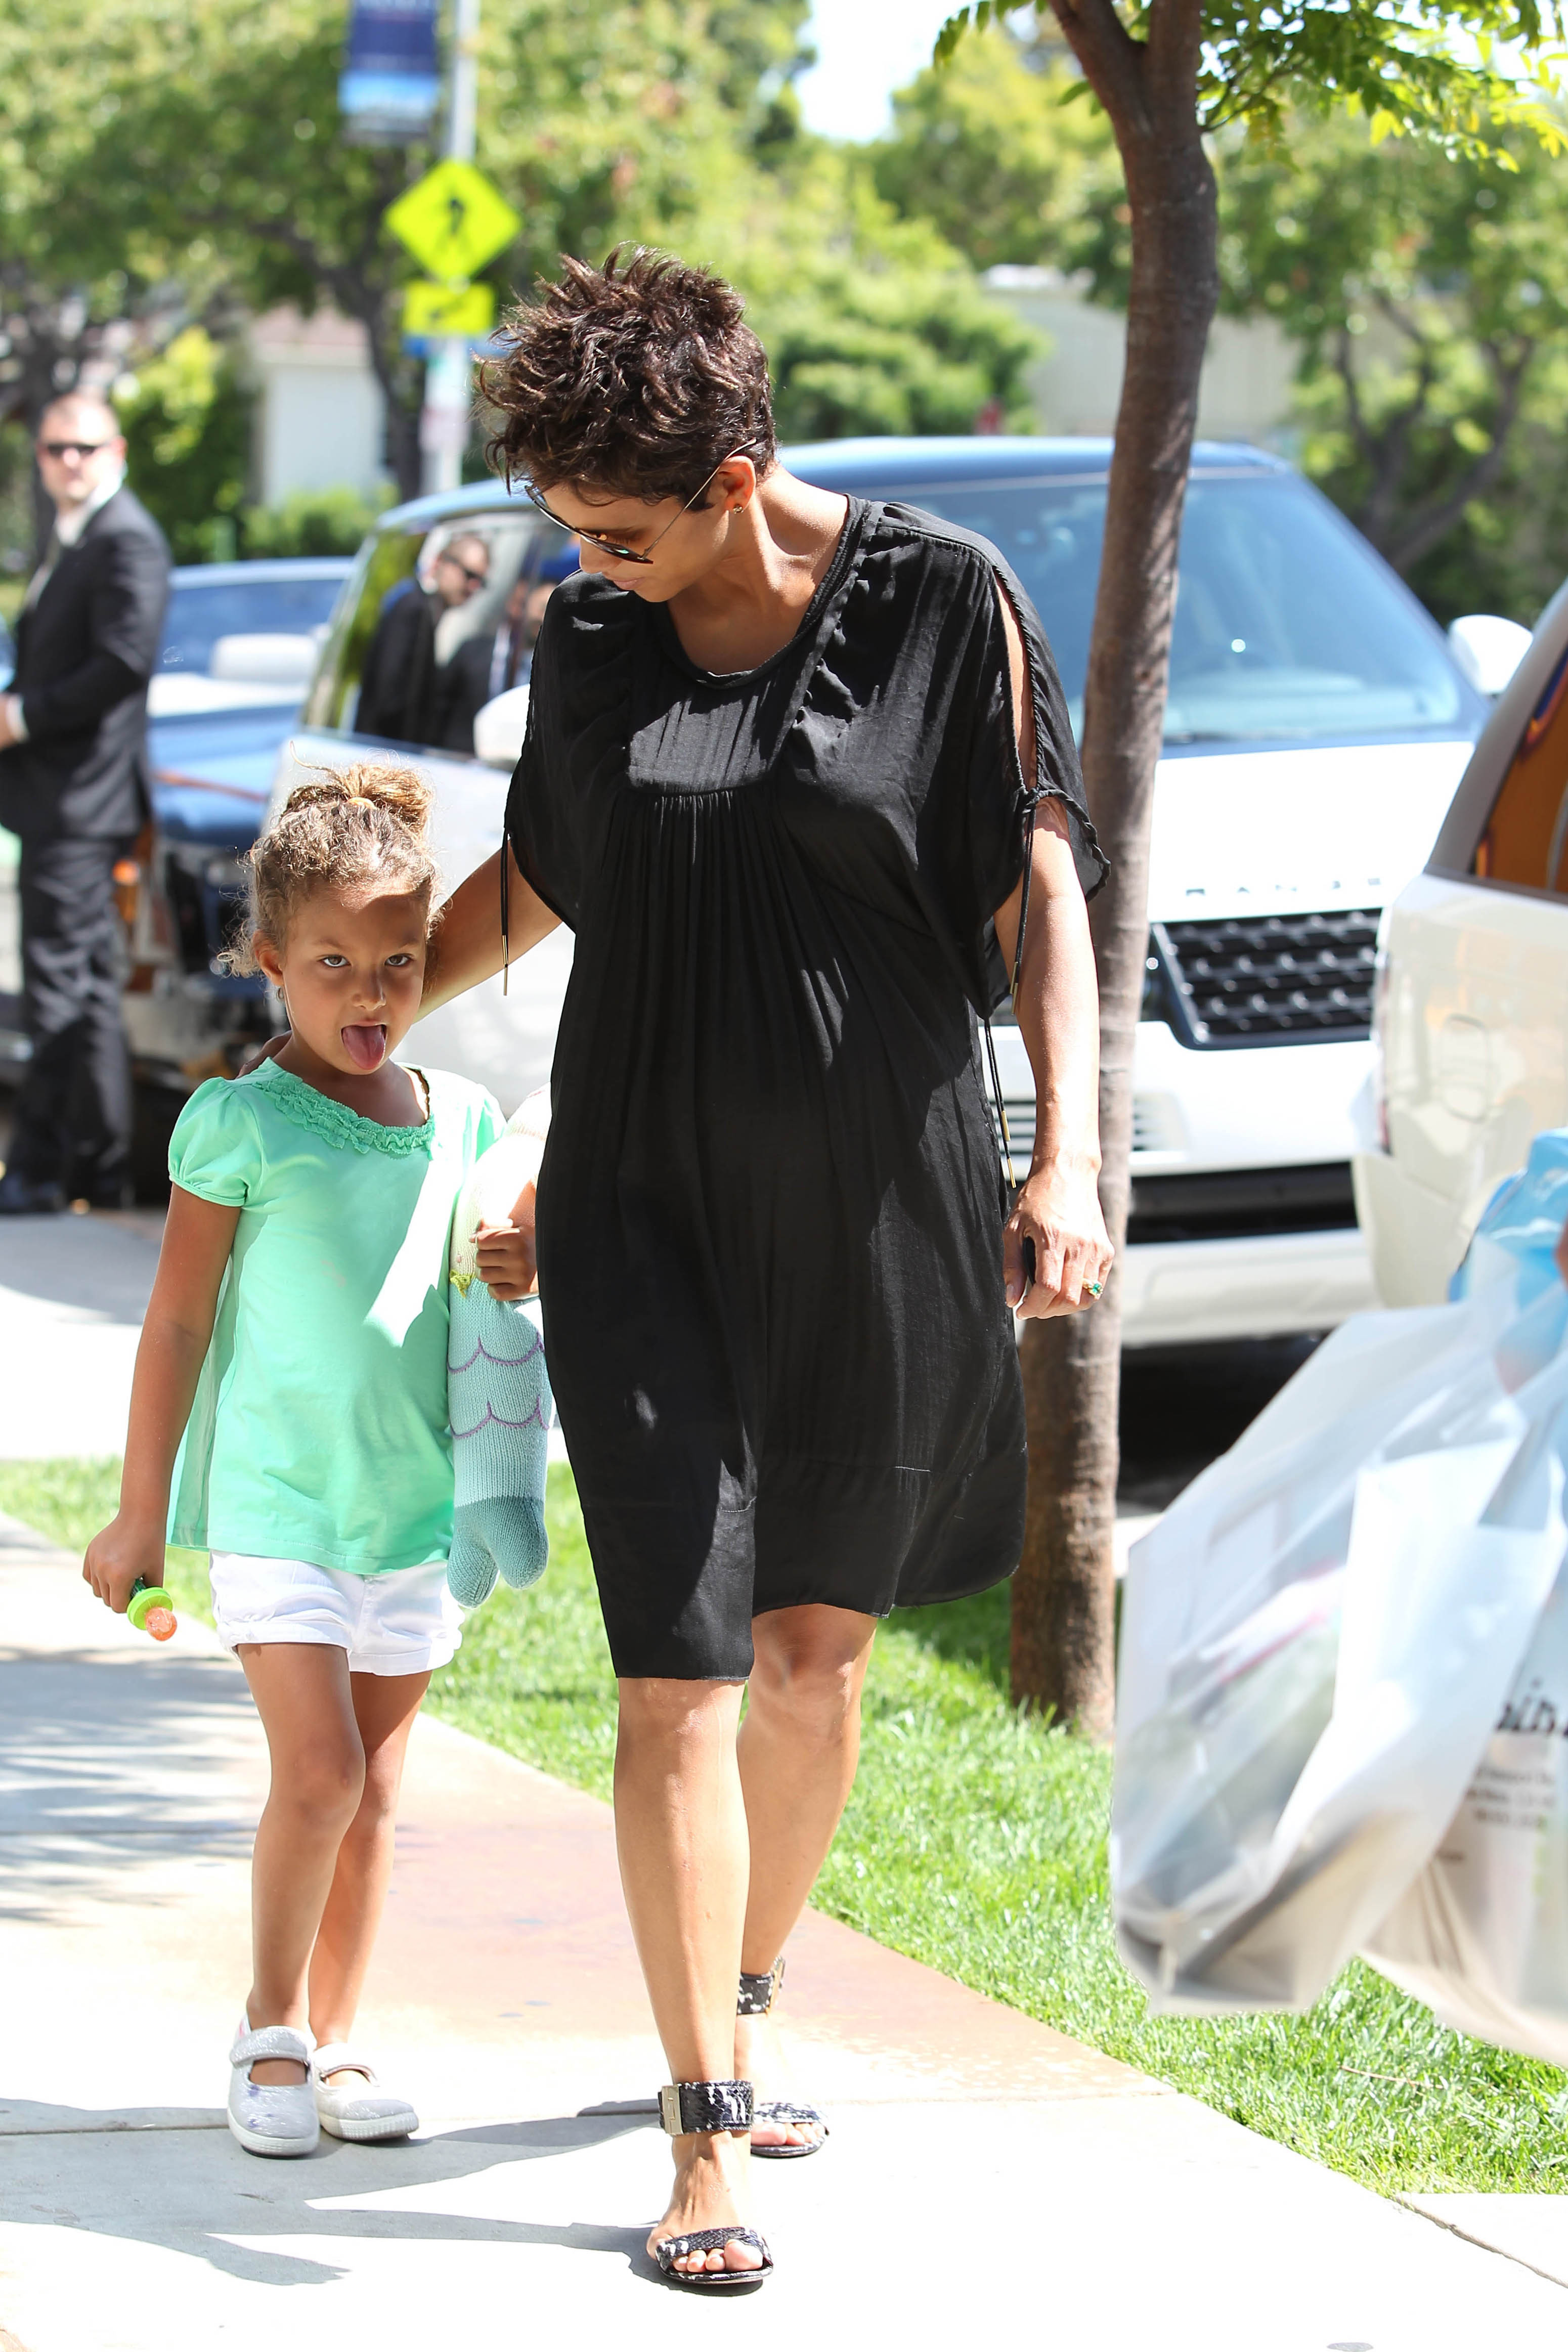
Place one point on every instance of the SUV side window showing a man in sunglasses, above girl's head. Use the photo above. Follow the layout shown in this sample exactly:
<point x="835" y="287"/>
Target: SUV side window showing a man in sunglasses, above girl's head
<point x="420" y="671"/>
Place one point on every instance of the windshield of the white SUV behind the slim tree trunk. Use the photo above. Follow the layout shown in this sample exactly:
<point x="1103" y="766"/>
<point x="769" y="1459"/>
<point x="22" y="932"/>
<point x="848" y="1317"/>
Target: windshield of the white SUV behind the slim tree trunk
<point x="1287" y="627"/>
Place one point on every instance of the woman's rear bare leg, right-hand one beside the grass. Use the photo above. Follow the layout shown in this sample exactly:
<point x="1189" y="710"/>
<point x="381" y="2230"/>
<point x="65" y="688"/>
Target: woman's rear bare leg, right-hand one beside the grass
<point x="800" y="1746"/>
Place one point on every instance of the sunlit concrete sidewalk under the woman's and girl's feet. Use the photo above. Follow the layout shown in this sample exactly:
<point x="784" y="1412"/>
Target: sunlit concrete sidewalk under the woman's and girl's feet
<point x="984" y="2172"/>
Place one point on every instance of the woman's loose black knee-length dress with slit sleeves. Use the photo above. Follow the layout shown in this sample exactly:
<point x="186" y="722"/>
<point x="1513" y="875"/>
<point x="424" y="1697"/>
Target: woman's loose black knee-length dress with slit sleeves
<point x="770" y="1212"/>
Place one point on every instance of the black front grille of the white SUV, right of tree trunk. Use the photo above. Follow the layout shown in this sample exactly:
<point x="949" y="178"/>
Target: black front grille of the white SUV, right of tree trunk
<point x="1266" y="980"/>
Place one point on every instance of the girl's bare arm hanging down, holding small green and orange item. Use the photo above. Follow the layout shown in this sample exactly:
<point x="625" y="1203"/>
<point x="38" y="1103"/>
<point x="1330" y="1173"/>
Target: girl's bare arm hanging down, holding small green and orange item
<point x="175" y="1339"/>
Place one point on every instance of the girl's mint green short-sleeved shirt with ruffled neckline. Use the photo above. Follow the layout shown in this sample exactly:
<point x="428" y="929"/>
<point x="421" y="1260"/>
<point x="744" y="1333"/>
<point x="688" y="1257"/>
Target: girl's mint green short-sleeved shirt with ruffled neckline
<point x="321" y="1417"/>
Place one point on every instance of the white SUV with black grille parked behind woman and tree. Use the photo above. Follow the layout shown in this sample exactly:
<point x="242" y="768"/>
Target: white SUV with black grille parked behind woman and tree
<point x="1315" y="735"/>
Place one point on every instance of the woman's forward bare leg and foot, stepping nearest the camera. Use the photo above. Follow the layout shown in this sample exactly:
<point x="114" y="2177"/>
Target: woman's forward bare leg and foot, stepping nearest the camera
<point x="681" y="1831"/>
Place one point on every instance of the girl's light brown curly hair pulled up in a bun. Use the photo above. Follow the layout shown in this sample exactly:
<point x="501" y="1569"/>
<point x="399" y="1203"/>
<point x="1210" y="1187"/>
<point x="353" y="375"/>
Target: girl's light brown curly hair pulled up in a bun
<point x="342" y="829"/>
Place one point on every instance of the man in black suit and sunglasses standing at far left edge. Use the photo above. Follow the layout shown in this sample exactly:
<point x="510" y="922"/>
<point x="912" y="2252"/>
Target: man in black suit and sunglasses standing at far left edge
<point x="74" y="787"/>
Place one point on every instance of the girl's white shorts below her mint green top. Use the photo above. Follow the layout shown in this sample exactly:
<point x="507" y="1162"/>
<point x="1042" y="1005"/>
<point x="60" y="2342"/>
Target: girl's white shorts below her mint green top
<point x="401" y="1622"/>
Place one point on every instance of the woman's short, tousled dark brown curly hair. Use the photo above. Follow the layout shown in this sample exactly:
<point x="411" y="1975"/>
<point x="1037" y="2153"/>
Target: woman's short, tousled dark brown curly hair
<point x="636" y="380"/>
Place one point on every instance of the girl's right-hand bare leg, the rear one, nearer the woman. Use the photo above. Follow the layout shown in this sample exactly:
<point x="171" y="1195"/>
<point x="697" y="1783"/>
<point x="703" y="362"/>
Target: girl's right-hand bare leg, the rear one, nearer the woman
<point x="384" y="1713"/>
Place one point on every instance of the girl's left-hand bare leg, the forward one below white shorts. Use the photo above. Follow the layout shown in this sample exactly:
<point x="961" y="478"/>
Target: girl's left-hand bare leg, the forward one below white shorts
<point x="304" y="1699"/>
